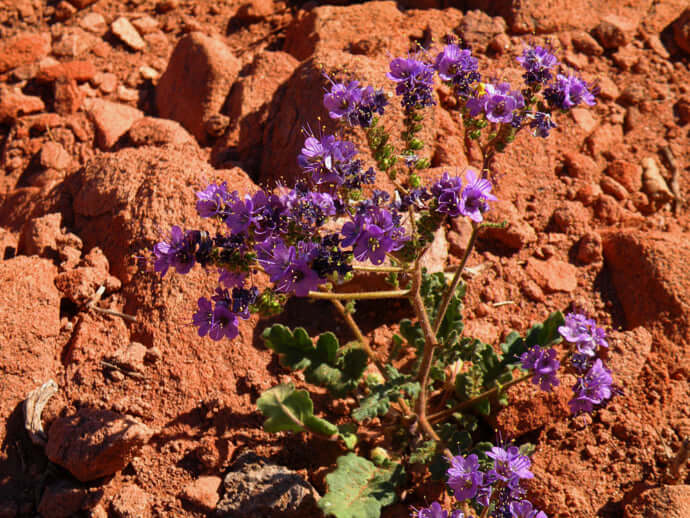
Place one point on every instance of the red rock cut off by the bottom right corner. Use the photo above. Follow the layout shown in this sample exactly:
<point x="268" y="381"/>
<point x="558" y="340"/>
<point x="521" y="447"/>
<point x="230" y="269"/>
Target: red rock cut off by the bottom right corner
<point x="668" y="501"/>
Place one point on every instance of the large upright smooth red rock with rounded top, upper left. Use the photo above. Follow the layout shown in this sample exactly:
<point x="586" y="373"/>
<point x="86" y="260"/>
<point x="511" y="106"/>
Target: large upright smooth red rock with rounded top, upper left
<point x="196" y="82"/>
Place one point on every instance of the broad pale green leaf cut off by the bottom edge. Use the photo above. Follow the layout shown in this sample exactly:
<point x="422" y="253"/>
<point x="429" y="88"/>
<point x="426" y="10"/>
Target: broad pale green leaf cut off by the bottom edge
<point x="360" y="489"/>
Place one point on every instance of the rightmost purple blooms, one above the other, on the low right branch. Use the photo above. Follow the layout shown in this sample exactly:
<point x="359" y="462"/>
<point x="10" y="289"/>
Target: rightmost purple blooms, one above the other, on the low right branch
<point x="594" y="383"/>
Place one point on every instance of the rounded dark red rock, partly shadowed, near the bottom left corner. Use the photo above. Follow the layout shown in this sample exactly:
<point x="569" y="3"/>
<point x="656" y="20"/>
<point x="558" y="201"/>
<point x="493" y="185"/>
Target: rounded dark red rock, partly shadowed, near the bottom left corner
<point x="95" y="443"/>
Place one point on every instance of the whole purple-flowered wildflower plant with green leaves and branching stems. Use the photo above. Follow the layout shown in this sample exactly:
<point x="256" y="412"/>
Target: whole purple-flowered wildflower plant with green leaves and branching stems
<point x="311" y="237"/>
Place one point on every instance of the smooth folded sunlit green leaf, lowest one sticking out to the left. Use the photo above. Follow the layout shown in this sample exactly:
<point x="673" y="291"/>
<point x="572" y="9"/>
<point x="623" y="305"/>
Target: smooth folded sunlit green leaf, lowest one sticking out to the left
<point x="290" y="410"/>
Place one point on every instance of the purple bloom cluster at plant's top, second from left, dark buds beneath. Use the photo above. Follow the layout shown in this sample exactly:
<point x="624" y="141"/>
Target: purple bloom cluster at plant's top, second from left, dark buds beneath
<point x="415" y="80"/>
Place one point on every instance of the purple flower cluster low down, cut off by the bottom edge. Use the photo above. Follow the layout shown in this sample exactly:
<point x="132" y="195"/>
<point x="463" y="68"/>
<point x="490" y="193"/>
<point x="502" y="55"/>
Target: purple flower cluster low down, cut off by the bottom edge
<point x="499" y="487"/>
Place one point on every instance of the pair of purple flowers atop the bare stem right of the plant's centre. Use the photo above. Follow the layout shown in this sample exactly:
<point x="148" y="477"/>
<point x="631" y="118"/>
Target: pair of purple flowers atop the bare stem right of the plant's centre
<point x="471" y="200"/>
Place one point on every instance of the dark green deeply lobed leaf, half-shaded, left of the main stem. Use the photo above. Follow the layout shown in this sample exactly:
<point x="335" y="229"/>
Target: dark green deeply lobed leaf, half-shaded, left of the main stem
<point x="326" y="364"/>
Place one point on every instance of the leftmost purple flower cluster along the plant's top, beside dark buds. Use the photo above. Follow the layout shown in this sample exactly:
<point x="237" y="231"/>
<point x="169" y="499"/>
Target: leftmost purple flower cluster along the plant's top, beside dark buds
<point x="354" y="104"/>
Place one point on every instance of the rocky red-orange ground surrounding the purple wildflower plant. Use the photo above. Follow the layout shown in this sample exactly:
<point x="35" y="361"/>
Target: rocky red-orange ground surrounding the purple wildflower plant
<point x="113" y="113"/>
